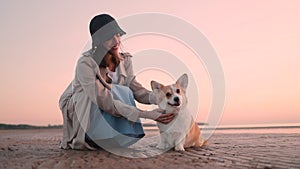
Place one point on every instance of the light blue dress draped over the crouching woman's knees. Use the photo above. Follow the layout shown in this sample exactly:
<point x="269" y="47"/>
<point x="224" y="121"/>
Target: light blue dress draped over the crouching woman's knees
<point x="108" y="131"/>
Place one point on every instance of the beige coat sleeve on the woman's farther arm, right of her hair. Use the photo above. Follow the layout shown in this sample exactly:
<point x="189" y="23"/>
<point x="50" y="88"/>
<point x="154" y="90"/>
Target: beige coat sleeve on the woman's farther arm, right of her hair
<point x="140" y="93"/>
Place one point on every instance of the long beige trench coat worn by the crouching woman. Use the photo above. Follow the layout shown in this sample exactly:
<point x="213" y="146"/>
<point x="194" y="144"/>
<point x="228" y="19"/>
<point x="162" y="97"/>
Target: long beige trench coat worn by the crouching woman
<point x="76" y="100"/>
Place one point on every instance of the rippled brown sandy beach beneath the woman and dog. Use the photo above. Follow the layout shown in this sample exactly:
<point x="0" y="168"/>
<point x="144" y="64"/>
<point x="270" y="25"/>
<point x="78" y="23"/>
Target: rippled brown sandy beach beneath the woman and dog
<point x="38" y="148"/>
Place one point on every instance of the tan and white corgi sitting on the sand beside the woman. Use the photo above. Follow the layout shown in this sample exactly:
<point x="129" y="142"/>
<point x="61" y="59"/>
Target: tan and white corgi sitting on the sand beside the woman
<point x="182" y="132"/>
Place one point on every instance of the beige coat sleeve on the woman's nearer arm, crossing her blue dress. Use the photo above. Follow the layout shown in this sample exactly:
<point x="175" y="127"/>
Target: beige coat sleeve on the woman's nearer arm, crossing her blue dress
<point x="99" y="94"/>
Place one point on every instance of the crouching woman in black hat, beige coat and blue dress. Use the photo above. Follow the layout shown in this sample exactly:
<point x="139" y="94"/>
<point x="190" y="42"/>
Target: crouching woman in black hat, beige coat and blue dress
<point x="98" y="106"/>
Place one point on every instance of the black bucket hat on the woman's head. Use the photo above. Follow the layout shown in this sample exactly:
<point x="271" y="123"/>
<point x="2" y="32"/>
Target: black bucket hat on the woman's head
<point x="103" y="27"/>
